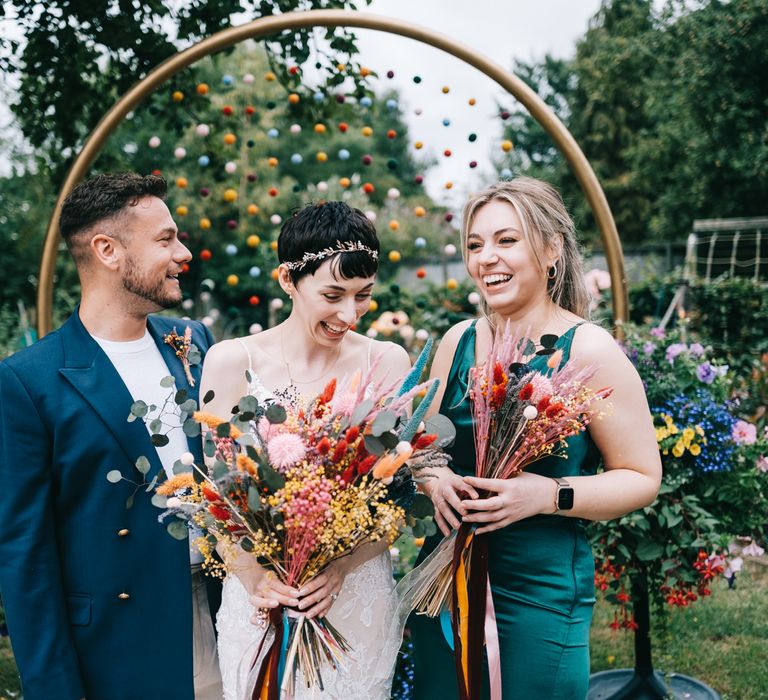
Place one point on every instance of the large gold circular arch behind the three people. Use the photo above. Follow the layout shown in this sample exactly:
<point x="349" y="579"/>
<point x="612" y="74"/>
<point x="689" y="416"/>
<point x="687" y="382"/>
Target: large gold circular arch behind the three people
<point x="340" y="18"/>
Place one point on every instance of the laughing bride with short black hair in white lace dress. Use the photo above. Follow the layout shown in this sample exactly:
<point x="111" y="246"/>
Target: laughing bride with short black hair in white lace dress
<point x="328" y="261"/>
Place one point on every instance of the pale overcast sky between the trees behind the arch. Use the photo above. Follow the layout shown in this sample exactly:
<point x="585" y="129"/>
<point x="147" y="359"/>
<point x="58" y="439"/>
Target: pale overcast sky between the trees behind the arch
<point x="502" y="30"/>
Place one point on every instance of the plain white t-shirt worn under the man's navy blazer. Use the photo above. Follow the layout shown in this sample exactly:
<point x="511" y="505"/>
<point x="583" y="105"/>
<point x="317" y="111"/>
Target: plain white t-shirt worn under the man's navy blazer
<point x="141" y="367"/>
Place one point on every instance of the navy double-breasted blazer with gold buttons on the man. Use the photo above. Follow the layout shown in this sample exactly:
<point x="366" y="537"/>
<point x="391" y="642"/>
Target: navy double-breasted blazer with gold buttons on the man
<point x="97" y="596"/>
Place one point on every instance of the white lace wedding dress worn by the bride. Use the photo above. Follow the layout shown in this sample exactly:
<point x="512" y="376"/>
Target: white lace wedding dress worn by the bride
<point x="363" y="613"/>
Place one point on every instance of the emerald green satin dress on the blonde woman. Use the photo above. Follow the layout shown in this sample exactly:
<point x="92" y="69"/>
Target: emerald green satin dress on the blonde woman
<point x="541" y="571"/>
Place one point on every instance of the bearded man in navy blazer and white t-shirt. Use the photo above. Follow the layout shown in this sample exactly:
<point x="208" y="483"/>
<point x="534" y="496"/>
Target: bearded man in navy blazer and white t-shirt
<point x="98" y="596"/>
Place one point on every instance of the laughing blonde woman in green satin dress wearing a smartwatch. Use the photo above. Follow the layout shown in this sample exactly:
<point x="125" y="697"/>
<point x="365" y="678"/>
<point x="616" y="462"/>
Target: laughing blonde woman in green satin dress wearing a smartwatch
<point x="520" y="250"/>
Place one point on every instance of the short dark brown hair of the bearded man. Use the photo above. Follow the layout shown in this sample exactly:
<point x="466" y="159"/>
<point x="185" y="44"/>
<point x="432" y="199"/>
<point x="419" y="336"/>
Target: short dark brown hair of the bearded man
<point x="102" y="197"/>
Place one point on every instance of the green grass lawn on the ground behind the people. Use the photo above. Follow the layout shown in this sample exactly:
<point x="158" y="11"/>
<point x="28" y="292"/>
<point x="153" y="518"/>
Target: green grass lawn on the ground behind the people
<point x="722" y="641"/>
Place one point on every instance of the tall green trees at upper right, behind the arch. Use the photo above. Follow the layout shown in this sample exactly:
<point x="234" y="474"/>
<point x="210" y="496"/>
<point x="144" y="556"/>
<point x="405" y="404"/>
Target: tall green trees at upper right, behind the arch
<point x="670" y="108"/>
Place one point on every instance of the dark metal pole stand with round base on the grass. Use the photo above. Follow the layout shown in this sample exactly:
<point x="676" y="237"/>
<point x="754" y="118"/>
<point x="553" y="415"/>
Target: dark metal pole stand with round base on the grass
<point x="643" y="683"/>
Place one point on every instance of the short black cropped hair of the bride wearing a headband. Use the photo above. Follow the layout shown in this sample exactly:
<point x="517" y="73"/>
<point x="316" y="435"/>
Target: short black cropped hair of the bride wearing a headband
<point x="321" y="225"/>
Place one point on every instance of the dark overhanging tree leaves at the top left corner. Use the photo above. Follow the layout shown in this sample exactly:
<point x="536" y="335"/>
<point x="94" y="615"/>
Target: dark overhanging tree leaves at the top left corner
<point x="115" y="43"/>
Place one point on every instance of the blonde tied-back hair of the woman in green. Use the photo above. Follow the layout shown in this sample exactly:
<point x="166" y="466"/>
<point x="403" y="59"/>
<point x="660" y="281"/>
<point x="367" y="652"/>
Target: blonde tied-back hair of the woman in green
<point x="546" y="226"/>
